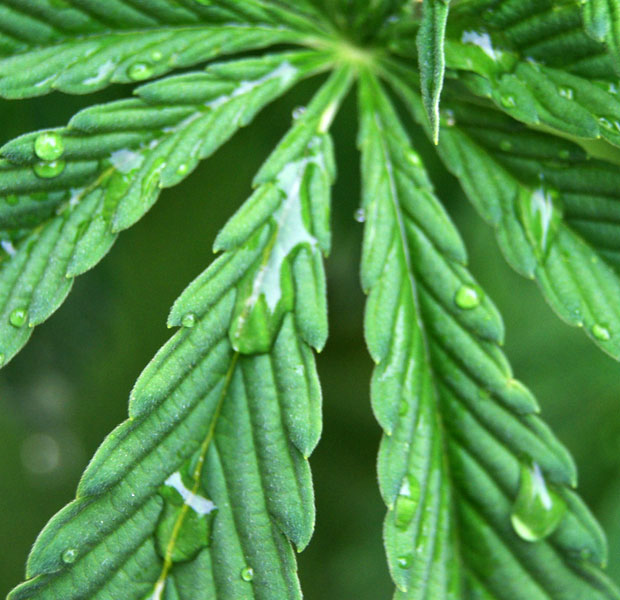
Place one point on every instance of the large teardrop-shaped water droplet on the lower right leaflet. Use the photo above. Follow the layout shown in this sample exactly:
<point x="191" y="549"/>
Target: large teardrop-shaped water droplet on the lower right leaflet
<point x="538" y="509"/>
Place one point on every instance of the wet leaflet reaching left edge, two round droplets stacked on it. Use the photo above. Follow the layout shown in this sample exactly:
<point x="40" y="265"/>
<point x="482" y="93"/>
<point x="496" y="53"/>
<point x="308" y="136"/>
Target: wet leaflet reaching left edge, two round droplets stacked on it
<point x="115" y="160"/>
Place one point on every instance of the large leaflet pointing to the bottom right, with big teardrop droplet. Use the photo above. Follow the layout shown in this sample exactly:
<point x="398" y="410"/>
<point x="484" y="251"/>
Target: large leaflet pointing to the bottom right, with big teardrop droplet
<point x="478" y="489"/>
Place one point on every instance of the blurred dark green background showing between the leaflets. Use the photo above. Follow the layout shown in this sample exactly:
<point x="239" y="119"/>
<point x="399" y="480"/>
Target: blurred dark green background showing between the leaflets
<point x="69" y="387"/>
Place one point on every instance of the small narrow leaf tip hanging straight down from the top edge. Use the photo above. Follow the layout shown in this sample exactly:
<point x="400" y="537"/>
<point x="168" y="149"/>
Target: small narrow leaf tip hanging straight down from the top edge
<point x="431" y="59"/>
